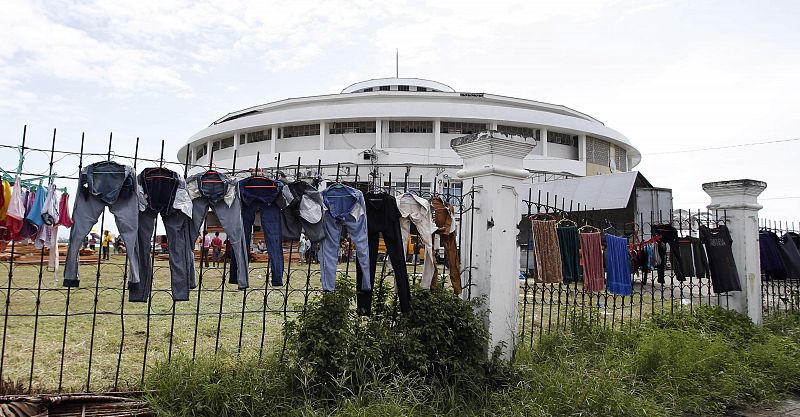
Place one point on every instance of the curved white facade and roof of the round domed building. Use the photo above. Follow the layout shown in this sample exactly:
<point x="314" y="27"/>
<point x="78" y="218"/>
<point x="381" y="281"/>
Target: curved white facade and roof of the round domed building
<point x="407" y="123"/>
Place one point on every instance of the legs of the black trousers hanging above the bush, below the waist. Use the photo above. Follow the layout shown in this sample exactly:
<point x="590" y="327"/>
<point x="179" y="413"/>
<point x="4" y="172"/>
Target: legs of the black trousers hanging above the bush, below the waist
<point x="394" y="249"/>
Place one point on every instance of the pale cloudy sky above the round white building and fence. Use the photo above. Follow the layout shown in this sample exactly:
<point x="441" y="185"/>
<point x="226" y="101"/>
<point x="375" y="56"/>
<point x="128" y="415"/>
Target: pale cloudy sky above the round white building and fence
<point x="673" y="76"/>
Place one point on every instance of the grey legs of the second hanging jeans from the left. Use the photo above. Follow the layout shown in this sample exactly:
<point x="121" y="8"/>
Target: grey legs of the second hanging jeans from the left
<point x="181" y="255"/>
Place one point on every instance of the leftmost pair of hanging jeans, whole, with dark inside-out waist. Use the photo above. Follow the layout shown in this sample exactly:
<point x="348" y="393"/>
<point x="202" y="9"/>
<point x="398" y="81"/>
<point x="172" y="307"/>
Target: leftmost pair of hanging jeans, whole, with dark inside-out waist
<point x="101" y="185"/>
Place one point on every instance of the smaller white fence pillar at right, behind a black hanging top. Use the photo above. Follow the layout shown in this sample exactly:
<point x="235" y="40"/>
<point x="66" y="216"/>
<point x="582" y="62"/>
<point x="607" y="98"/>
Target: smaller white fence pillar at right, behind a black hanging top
<point x="739" y="201"/>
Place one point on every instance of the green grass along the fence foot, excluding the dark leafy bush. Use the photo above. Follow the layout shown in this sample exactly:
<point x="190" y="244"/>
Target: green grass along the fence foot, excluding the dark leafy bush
<point x="688" y="364"/>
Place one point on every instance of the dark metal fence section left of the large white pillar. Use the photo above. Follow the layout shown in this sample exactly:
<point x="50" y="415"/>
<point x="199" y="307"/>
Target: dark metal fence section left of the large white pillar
<point x="93" y="339"/>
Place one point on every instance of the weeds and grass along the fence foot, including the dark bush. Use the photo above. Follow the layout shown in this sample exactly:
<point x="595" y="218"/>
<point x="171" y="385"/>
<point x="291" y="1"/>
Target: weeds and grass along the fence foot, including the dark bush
<point x="432" y="363"/>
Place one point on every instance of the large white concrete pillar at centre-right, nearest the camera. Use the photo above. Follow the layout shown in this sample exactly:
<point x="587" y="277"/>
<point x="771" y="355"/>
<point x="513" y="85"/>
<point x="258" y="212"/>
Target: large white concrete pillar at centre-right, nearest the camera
<point x="495" y="163"/>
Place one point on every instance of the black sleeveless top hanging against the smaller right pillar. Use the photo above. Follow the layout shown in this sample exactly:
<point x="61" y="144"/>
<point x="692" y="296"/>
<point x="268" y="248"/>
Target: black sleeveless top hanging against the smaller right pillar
<point x="722" y="266"/>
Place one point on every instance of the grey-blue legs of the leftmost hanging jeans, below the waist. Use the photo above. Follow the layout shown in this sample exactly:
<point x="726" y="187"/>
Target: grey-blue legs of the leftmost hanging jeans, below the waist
<point x="85" y="213"/>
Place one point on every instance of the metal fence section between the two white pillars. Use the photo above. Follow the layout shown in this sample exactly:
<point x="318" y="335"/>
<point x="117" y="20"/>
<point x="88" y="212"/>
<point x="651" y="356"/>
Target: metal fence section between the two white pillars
<point x="546" y="307"/>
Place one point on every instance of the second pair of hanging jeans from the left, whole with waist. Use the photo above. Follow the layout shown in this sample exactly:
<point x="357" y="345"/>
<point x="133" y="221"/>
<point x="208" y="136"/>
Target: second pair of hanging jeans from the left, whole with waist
<point x="159" y="186"/>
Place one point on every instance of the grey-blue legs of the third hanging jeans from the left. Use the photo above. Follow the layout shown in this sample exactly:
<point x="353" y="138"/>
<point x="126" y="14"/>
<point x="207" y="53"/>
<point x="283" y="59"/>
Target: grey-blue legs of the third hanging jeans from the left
<point x="231" y="220"/>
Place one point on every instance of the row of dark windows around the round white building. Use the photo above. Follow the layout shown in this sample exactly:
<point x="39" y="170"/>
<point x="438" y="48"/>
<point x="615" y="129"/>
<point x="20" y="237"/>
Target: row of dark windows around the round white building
<point x="394" y="126"/>
